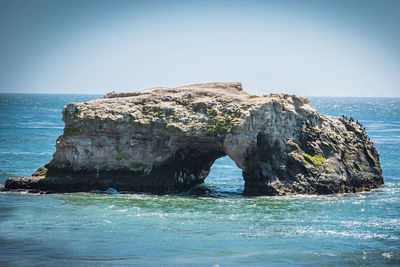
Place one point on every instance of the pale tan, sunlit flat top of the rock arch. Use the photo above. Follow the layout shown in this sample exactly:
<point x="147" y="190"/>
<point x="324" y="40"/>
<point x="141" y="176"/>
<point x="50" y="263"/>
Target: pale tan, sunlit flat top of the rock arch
<point x="190" y="107"/>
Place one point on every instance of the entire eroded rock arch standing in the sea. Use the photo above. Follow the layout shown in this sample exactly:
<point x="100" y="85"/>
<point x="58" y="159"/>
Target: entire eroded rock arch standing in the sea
<point x="166" y="140"/>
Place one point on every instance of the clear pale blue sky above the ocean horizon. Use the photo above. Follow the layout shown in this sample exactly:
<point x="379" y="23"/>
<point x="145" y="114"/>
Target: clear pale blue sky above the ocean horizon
<point x="310" y="47"/>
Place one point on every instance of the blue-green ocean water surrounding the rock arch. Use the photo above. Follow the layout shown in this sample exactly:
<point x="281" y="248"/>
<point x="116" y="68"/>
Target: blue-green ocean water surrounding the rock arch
<point x="212" y="225"/>
